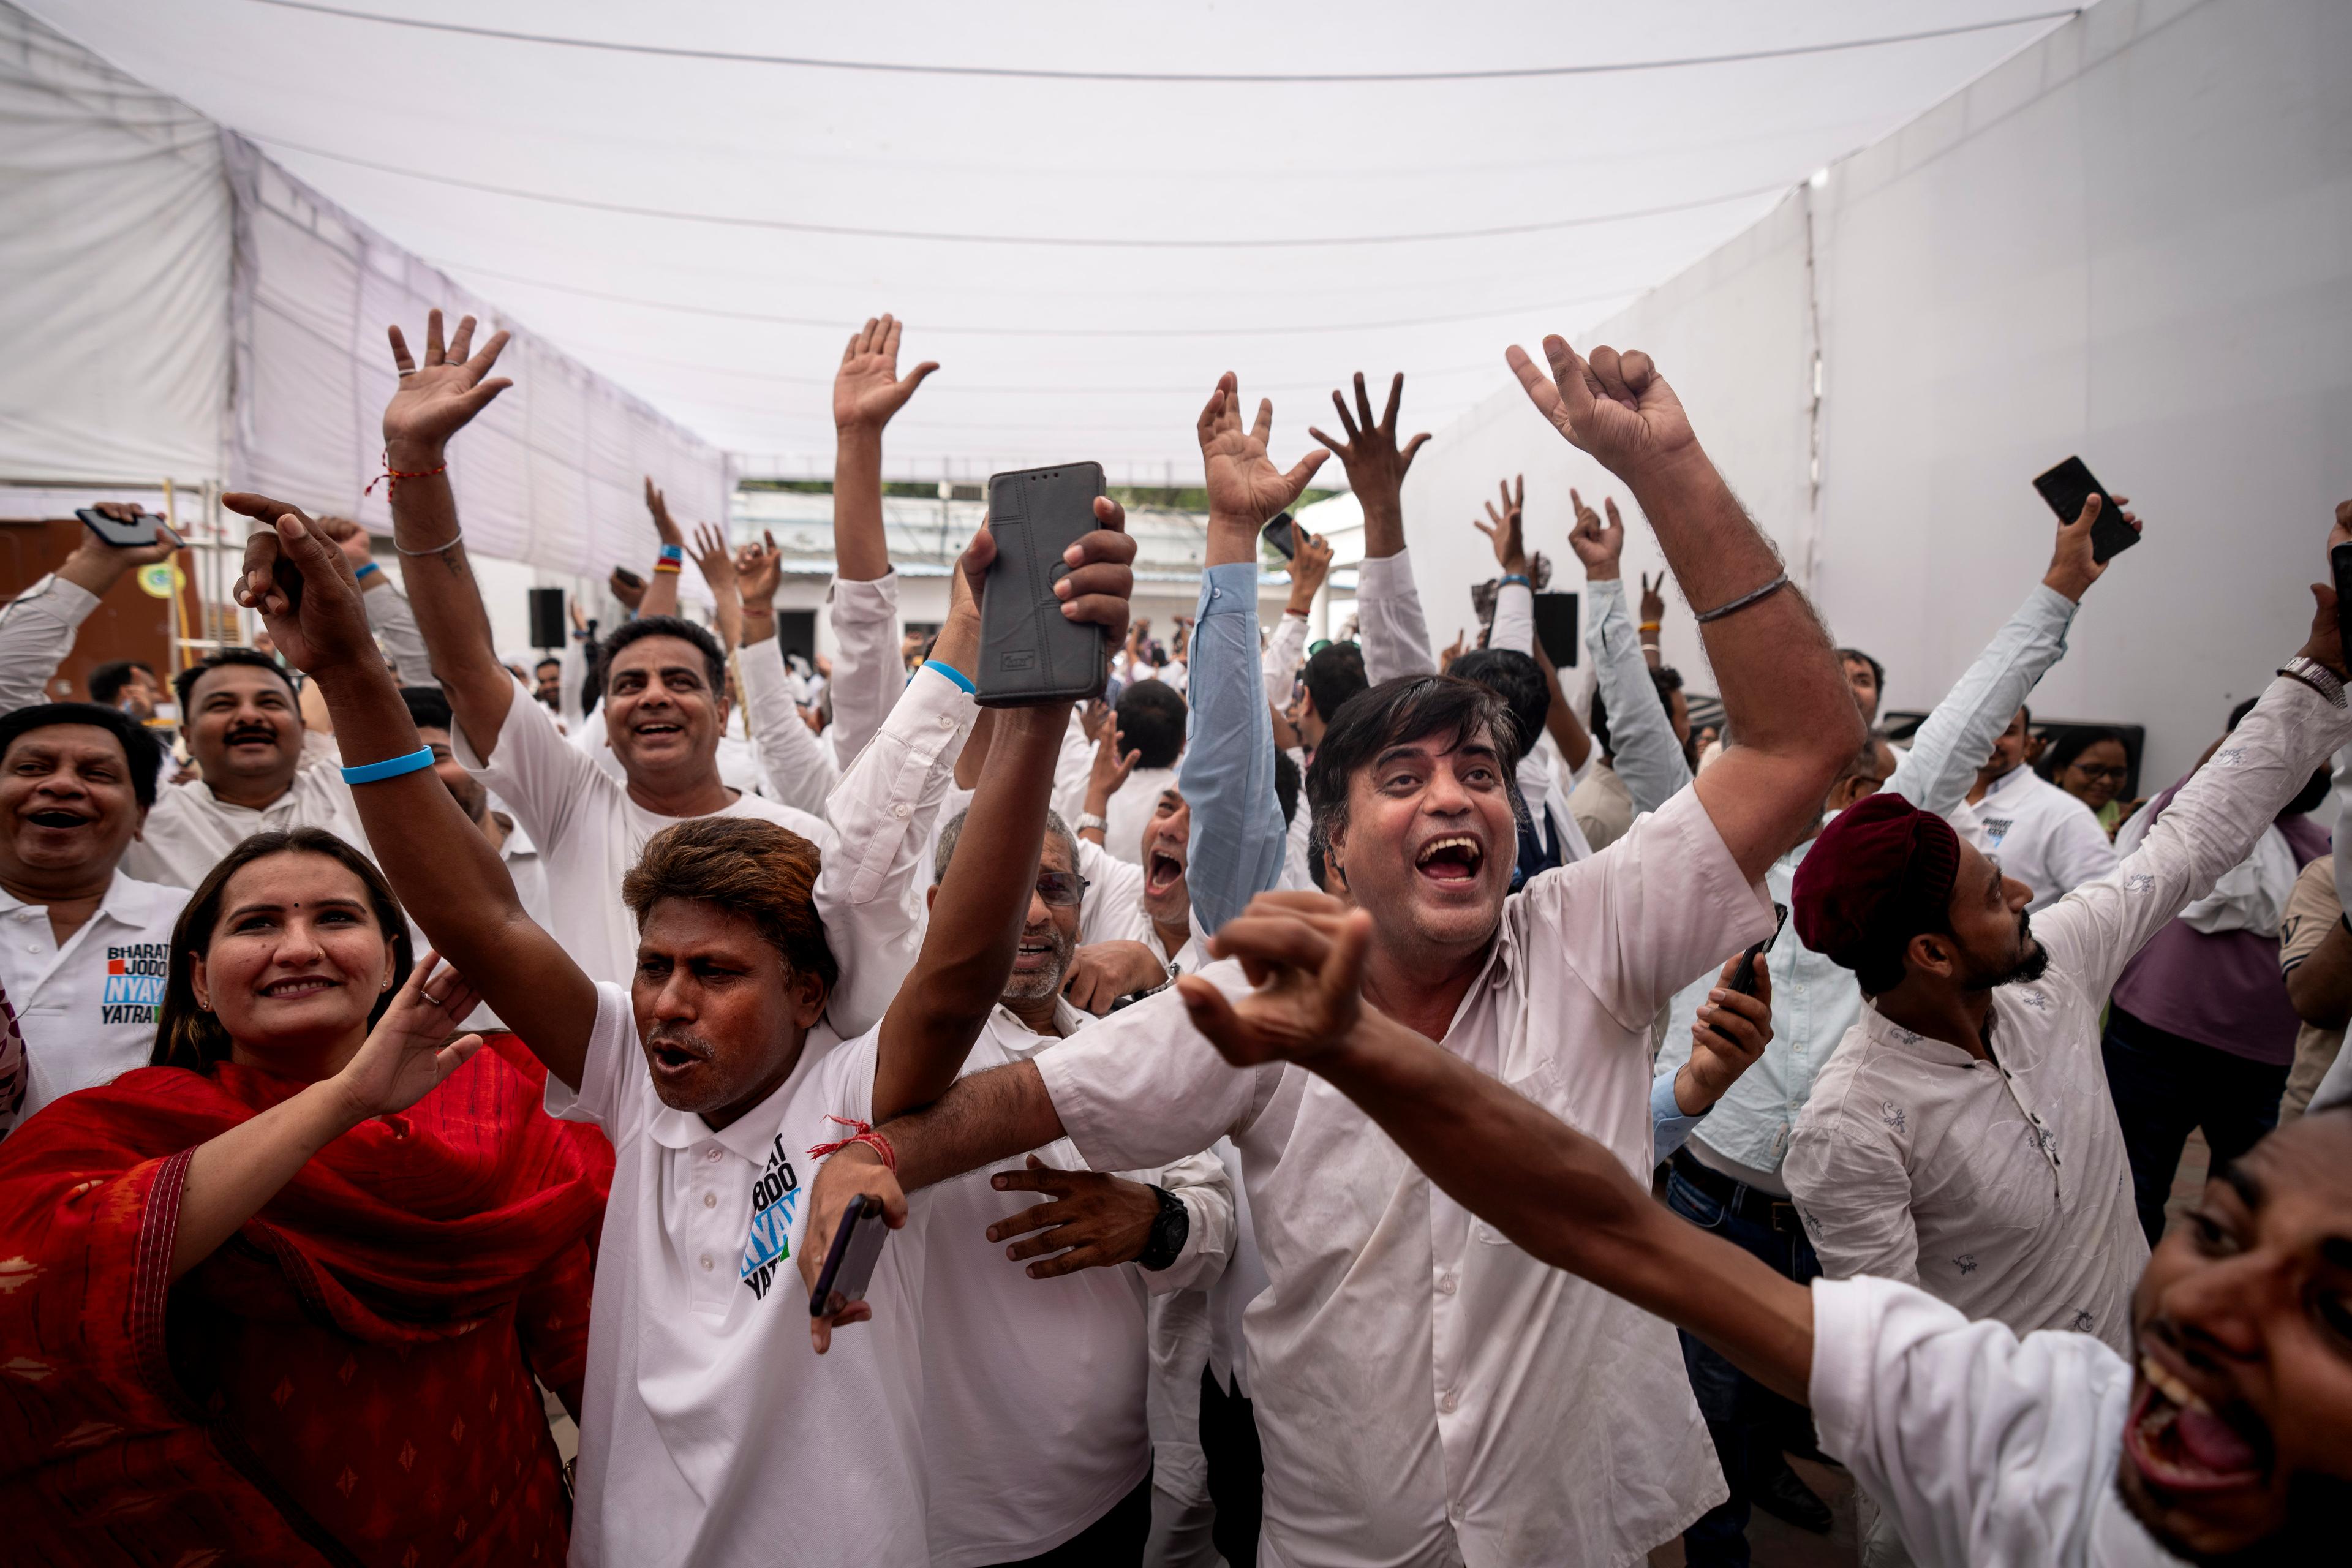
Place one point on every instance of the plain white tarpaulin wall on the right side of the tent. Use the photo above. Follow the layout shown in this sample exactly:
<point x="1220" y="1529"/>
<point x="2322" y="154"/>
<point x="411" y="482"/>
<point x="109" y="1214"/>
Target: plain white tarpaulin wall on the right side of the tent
<point x="2134" y="243"/>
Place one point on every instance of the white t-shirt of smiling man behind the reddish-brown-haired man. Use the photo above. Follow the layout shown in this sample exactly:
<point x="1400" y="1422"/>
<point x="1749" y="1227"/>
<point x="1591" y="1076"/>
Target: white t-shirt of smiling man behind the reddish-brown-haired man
<point x="589" y="831"/>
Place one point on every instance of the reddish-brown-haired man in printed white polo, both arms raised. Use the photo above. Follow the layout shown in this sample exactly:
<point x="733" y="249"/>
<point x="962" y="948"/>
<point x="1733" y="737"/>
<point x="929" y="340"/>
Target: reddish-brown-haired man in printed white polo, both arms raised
<point x="711" y="1435"/>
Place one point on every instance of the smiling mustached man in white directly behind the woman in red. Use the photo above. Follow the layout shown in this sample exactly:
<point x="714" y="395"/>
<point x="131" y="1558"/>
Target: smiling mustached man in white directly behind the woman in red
<point x="255" y="768"/>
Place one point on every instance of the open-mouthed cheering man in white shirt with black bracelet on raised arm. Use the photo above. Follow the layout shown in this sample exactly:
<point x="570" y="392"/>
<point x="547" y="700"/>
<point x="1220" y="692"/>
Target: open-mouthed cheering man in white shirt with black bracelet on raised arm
<point x="1424" y="1391"/>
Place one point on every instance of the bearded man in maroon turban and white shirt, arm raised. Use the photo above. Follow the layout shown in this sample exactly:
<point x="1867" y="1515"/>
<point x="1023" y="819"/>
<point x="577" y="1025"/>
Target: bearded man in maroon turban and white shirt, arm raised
<point x="1963" y="1134"/>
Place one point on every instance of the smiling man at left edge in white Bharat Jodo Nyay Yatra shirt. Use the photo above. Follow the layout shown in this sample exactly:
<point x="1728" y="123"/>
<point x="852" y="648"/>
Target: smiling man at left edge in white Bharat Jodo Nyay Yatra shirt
<point x="81" y="944"/>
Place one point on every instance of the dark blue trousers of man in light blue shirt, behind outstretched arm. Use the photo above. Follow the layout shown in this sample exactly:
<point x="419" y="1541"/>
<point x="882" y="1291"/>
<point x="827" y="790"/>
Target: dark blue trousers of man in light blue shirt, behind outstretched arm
<point x="1749" y="1423"/>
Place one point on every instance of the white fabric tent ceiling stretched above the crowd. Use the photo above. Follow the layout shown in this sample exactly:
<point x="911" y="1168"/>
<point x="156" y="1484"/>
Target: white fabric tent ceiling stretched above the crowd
<point x="702" y="201"/>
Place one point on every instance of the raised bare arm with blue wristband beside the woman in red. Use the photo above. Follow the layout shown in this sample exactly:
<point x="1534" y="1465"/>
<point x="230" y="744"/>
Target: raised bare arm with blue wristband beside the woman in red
<point x="439" y="864"/>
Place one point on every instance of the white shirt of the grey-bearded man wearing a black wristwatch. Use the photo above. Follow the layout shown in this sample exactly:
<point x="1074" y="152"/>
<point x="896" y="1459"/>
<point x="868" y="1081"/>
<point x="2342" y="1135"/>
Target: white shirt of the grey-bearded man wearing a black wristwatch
<point x="1034" y="1402"/>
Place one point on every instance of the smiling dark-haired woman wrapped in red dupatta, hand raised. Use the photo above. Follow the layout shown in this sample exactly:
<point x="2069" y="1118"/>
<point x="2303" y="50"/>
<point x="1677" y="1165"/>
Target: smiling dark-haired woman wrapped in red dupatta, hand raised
<point x="283" y="1296"/>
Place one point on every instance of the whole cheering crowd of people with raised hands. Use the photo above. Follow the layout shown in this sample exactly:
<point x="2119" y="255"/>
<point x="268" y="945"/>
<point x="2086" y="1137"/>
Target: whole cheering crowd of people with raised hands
<point x="1332" y="1101"/>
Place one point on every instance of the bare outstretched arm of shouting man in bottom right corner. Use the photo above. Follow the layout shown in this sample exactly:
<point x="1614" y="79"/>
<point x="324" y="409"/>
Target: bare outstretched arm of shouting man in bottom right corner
<point x="1542" y="1184"/>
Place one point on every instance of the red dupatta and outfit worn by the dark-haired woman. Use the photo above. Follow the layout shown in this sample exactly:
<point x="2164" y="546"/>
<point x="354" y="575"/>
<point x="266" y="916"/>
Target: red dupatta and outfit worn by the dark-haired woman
<point x="422" y="1264"/>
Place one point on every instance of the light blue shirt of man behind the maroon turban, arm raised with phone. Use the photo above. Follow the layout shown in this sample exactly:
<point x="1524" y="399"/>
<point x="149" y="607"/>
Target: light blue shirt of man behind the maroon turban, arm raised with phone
<point x="1812" y="1000"/>
